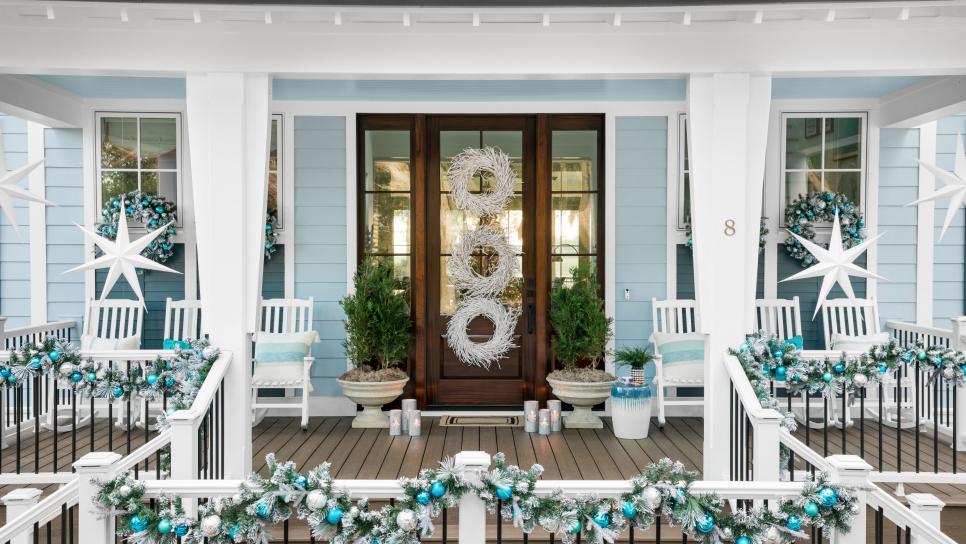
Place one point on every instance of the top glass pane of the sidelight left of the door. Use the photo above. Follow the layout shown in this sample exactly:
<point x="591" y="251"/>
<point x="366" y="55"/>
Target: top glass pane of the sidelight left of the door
<point x="387" y="160"/>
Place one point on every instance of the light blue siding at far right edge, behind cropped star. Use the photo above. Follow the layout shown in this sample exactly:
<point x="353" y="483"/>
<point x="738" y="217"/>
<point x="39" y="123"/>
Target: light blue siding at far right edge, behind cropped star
<point x="949" y="257"/>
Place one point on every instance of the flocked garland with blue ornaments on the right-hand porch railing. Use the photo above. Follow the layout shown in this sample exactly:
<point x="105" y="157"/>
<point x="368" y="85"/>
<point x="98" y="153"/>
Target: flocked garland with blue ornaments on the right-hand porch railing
<point x="765" y="358"/>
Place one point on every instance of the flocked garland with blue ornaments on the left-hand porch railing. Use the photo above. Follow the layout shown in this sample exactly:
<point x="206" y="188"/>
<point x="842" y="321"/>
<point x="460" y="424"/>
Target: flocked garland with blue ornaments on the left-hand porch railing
<point x="178" y="378"/>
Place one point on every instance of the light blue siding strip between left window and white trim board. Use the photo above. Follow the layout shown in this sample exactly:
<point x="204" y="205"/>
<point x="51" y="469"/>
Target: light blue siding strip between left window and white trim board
<point x="65" y="242"/>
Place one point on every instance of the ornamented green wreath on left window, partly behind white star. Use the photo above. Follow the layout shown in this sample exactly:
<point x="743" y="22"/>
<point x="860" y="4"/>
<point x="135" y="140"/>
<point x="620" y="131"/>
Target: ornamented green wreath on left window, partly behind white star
<point x="152" y="211"/>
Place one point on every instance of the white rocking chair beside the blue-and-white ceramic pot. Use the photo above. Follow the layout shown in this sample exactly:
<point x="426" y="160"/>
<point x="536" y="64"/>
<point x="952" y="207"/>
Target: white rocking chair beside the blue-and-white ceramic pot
<point x="673" y="317"/>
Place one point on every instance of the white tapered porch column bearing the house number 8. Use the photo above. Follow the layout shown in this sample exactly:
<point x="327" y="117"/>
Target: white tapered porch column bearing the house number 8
<point x="727" y="134"/>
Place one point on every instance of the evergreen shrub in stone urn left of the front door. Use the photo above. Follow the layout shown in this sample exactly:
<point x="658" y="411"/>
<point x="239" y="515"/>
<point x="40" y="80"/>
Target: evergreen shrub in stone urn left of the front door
<point x="377" y="327"/>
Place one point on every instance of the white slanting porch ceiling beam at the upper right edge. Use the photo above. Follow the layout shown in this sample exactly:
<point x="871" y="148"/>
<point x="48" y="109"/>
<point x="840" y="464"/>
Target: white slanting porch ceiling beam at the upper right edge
<point x="924" y="102"/>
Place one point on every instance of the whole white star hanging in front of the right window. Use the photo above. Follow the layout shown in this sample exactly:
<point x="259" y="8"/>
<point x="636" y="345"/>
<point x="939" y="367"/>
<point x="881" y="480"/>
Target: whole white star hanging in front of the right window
<point x="834" y="264"/>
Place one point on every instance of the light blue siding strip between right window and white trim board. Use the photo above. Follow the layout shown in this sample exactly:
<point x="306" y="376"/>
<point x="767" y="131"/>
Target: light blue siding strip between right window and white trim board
<point x="898" y="185"/>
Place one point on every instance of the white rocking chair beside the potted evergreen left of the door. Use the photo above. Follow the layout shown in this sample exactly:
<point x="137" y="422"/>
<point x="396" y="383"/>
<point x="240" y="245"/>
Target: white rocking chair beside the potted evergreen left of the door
<point x="285" y="316"/>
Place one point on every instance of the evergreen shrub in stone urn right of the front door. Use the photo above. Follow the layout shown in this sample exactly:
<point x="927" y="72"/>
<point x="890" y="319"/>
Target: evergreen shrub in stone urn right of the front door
<point x="581" y="331"/>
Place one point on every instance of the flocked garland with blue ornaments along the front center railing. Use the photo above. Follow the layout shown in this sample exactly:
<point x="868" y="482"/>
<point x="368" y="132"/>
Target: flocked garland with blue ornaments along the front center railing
<point x="663" y="489"/>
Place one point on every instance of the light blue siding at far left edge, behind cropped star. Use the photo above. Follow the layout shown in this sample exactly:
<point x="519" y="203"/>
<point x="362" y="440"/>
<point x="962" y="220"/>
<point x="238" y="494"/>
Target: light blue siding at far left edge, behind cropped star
<point x="15" y="245"/>
